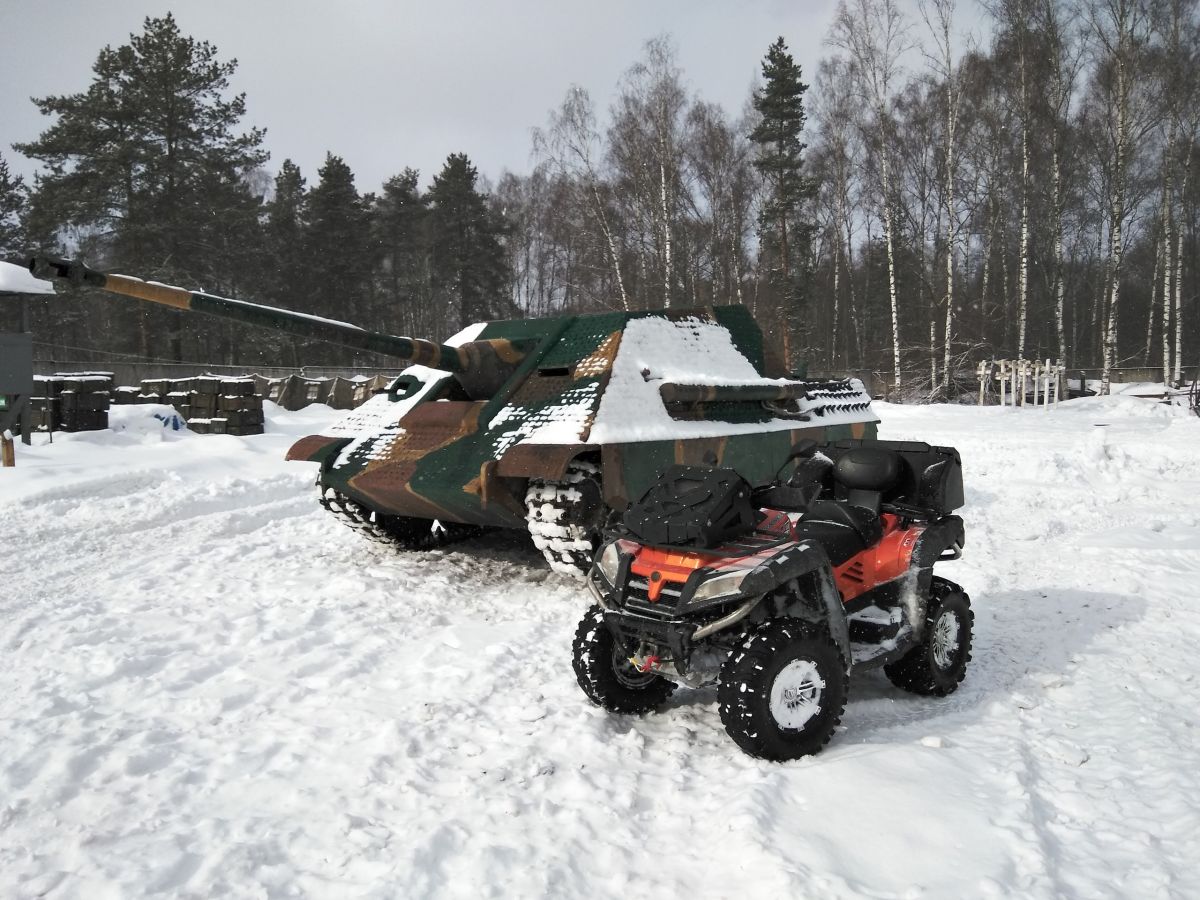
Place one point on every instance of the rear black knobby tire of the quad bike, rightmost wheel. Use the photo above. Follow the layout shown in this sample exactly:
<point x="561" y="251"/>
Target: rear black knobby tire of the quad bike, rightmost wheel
<point x="939" y="664"/>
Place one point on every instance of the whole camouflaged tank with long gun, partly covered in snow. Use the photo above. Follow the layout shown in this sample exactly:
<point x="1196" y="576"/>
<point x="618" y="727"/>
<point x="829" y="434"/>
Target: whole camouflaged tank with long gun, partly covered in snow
<point x="549" y="425"/>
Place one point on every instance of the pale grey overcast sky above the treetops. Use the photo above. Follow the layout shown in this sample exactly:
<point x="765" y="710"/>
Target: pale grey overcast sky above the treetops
<point x="394" y="85"/>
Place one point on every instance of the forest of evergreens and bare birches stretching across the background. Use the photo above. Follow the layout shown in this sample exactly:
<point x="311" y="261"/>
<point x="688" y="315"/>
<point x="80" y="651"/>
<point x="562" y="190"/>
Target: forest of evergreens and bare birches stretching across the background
<point x="914" y="202"/>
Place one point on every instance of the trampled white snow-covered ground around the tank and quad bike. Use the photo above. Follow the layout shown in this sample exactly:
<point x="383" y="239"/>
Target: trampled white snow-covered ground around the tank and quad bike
<point x="209" y="687"/>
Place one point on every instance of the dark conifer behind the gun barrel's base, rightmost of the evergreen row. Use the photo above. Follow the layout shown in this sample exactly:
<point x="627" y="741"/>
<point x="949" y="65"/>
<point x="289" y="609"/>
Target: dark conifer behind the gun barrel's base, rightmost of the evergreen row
<point x="470" y="271"/>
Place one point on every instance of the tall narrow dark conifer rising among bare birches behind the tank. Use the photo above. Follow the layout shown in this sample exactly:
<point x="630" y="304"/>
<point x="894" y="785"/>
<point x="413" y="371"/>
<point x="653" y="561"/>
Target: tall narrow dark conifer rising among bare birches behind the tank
<point x="785" y="238"/>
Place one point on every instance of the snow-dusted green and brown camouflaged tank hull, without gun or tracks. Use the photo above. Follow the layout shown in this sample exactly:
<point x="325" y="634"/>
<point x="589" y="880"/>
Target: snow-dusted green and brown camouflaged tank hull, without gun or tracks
<point x="433" y="454"/>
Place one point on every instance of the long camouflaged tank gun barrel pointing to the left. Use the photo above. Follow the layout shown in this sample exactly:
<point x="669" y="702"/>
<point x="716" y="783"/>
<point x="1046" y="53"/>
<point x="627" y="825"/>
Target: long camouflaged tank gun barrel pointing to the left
<point x="469" y="359"/>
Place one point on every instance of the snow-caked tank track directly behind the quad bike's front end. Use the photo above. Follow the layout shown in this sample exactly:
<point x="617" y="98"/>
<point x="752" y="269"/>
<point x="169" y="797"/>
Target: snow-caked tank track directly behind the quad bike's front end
<point x="567" y="518"/>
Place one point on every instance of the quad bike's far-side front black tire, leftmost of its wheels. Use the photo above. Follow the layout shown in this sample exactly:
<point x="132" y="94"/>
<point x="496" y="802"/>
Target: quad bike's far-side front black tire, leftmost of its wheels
<point x="607" y="675"/>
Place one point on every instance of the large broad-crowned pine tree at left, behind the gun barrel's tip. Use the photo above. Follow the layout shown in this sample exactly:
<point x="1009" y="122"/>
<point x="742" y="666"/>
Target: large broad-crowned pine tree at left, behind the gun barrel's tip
<point x="148" y="165"/>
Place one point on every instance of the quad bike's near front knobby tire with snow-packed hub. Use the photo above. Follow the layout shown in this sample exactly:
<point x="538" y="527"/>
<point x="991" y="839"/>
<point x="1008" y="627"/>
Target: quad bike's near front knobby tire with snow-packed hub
<point x="783" y="692"/>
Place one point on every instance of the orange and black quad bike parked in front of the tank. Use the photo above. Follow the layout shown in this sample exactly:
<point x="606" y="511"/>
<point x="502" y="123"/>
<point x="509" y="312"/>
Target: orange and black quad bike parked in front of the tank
<point x="779" y="593"/>
